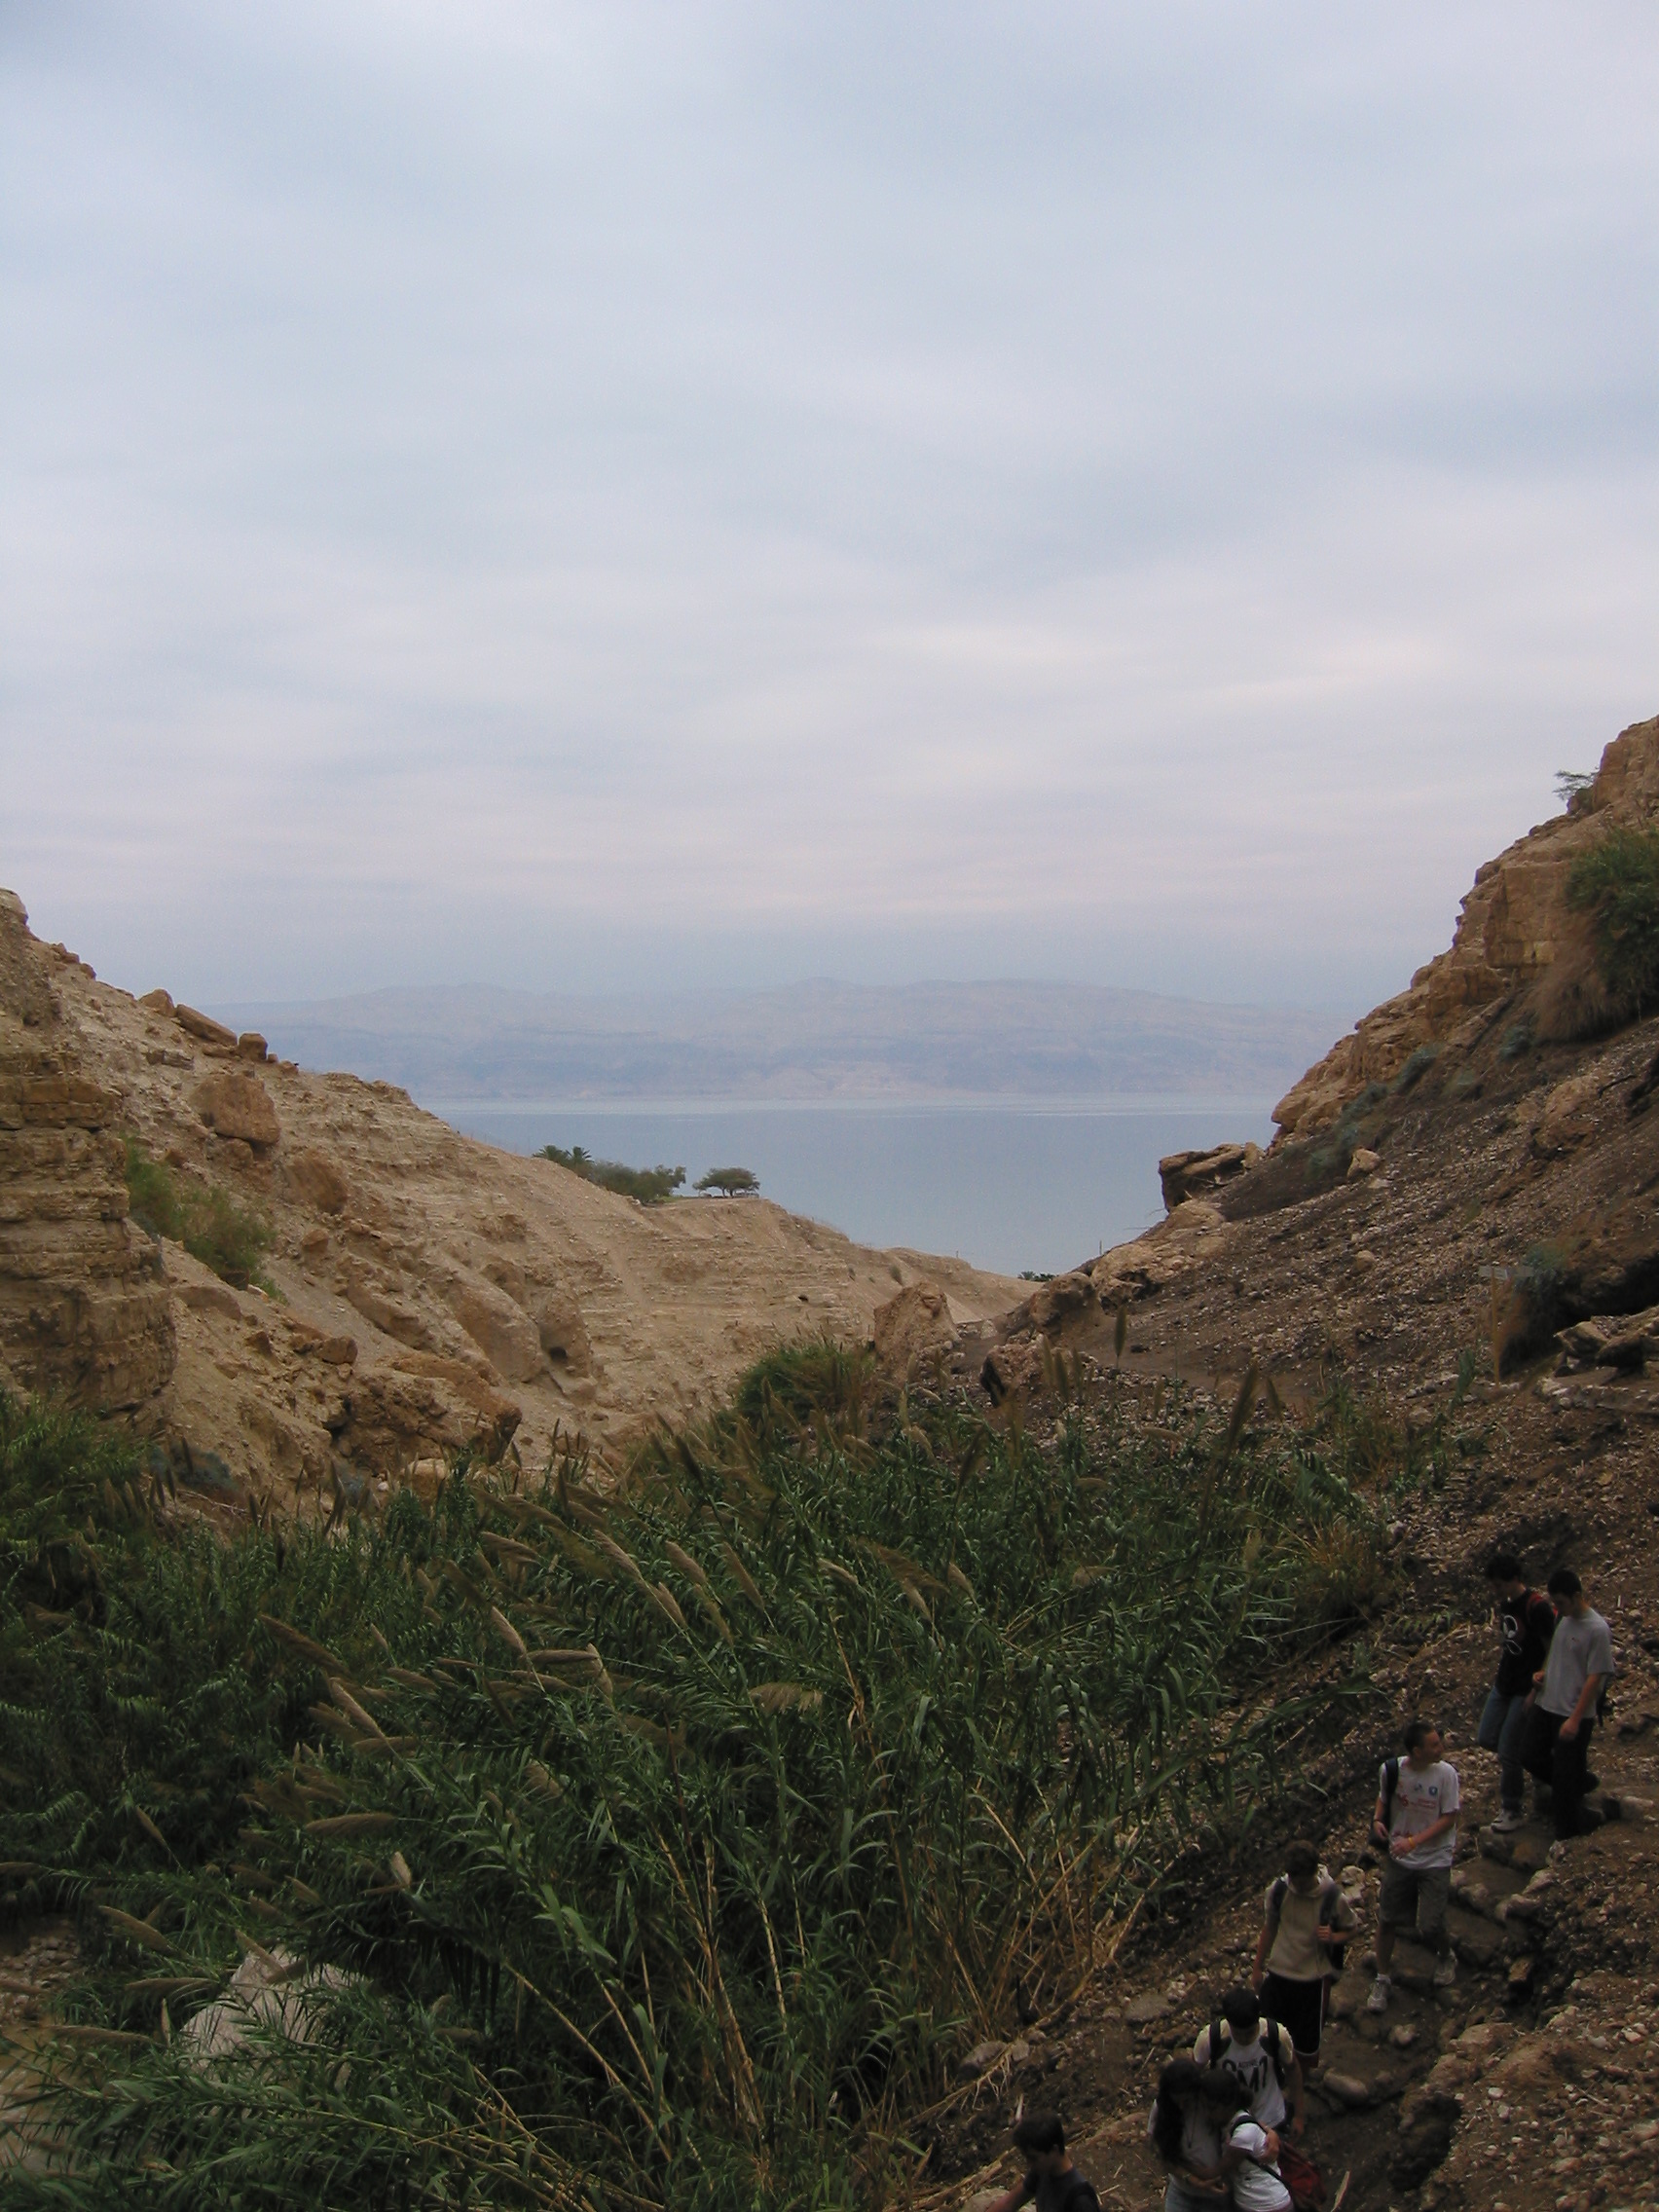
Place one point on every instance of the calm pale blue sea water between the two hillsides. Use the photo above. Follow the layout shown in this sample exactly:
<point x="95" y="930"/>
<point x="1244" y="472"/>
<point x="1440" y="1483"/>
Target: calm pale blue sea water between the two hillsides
<point x="1010" y="1185"/>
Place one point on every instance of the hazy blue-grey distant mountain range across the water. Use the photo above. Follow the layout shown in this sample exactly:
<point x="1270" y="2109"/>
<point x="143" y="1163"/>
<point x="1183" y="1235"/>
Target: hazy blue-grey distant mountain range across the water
<point x="811" y="1041"/>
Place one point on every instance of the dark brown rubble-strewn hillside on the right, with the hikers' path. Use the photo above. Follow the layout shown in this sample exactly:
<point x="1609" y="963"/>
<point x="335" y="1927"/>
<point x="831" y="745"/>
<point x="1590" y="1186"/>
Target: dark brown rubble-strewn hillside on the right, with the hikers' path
<point x="1461" y="1222"/>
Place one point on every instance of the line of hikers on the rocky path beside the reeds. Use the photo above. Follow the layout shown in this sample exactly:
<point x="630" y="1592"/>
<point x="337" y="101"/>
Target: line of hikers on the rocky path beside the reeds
<point x="1229" y="2120"/>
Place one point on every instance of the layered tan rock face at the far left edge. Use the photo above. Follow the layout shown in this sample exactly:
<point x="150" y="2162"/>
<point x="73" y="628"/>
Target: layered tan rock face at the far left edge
<point x="81" y="1300"/>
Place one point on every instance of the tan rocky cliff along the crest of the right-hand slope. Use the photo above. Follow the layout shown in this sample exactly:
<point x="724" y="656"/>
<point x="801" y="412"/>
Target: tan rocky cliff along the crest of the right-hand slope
<point x="1514" y="928"/>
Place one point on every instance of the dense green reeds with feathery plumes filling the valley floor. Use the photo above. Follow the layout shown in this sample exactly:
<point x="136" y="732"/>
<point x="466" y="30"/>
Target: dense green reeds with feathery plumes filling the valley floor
<point x="676" y="1839"/>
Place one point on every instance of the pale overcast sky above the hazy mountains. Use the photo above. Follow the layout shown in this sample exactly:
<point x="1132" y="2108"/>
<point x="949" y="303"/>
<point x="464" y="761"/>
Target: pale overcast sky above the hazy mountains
<point x="707" y="494"/>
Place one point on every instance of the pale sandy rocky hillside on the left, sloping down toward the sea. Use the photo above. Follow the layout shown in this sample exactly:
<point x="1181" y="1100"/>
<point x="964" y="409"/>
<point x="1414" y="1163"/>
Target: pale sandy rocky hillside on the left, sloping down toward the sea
<point x="419" y="1291"/>
